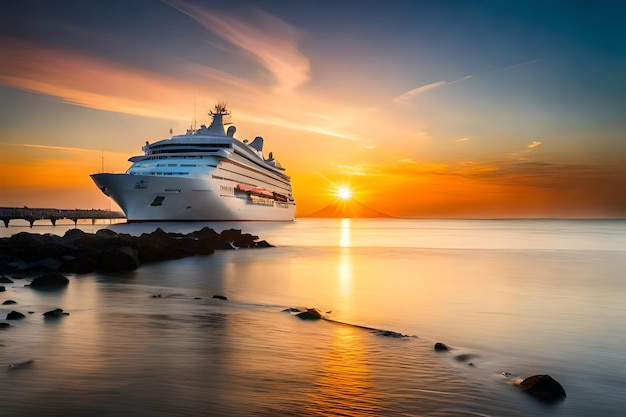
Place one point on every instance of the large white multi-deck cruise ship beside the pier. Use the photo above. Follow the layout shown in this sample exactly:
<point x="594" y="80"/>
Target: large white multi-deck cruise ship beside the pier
<point x="203" y="175"/>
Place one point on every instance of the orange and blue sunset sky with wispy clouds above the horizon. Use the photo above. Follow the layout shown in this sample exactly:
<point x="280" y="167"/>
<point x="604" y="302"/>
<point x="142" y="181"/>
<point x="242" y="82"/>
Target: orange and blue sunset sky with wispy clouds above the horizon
<point x="425" y="109"/>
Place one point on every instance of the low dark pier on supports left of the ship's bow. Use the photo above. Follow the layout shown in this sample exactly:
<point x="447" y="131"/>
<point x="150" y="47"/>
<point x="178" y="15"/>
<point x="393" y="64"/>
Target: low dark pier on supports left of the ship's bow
<point x="32" y="214"/>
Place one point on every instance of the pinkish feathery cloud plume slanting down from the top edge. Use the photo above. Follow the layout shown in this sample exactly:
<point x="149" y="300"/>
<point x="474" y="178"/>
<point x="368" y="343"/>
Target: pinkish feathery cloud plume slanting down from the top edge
<point x="270" y="40"/>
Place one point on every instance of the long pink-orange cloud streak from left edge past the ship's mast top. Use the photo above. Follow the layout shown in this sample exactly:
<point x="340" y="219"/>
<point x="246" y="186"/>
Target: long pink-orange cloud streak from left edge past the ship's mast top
<point x="70" y="76"/>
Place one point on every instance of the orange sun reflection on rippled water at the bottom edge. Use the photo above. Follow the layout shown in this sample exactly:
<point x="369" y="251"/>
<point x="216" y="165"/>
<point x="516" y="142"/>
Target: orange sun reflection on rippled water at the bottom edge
<point x="344" y="383"/>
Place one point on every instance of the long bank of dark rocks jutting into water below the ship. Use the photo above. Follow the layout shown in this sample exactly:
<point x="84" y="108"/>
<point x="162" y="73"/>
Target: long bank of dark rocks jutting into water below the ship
<point x="28" y="254"/>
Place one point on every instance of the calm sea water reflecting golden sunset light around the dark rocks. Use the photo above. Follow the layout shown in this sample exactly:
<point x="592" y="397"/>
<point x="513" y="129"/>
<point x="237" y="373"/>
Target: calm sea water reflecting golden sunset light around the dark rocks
<point x="521" y="296"/>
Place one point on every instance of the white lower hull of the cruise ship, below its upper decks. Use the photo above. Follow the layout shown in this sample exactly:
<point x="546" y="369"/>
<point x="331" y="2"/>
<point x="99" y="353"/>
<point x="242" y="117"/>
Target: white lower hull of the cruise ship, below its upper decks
<point x="186" y="199"/>
